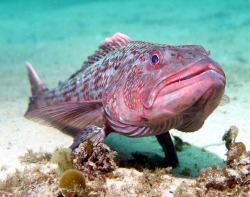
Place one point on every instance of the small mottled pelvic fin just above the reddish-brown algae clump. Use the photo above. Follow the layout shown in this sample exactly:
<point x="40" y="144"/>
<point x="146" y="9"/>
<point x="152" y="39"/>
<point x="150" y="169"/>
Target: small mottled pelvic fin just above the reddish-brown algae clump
<point x="94" y="133"/>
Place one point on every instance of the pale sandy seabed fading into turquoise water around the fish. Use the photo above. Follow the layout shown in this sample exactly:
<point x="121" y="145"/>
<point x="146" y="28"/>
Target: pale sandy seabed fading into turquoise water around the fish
<point x="57" y="36"/>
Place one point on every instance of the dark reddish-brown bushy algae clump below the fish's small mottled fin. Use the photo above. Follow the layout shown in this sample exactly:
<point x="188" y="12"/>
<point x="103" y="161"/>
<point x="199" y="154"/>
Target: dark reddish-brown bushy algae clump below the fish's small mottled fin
<point x="93" y="159"/>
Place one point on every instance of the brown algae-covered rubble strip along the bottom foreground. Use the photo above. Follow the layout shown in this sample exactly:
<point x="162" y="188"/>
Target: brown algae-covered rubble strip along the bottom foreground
<point x="96" y="163"/>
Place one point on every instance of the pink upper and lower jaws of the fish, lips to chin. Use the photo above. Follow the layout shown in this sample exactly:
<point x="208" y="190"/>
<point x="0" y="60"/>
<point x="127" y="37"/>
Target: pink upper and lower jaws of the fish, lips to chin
<point x="198" y="87"/>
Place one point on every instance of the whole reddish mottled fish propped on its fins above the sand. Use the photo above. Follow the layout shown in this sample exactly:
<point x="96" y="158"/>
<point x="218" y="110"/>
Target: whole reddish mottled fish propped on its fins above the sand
<point x="134" y="88"/>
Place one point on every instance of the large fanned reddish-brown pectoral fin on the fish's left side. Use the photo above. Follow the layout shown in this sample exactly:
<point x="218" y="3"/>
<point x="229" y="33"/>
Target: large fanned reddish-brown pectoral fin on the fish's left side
<point x="68" y="117"/>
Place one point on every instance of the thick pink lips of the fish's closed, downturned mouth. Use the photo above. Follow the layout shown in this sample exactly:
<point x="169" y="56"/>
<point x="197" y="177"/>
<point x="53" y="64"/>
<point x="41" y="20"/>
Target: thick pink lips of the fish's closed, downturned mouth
<point x="184" y="78"/>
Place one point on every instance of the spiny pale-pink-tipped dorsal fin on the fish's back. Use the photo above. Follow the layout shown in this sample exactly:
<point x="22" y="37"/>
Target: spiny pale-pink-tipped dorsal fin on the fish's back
<point x="107" y="46"/>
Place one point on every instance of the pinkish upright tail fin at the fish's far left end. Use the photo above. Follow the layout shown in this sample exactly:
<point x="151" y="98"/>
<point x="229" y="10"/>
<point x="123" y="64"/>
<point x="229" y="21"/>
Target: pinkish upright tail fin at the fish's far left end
<point x="37" y="87"/>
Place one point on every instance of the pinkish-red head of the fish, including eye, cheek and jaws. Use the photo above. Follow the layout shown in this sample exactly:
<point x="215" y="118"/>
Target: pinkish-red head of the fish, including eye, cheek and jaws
<point x="161" y="81"/>
